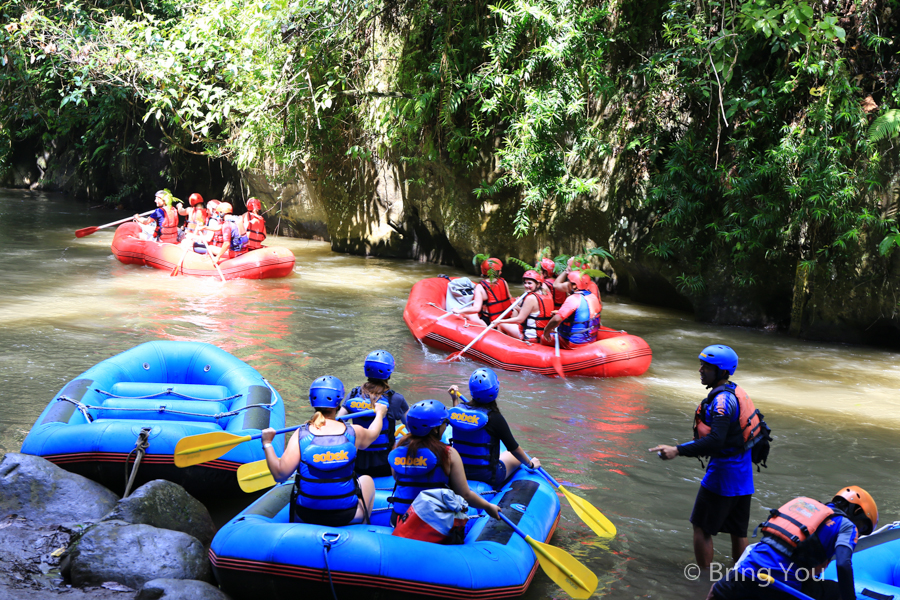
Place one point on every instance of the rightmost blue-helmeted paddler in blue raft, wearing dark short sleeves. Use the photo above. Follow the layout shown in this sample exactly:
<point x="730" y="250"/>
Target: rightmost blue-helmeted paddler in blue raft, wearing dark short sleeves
<point x="478" y="429"/>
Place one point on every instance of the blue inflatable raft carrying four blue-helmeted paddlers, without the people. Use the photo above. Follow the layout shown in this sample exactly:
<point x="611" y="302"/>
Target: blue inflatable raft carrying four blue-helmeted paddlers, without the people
<point x="260" y="553"/>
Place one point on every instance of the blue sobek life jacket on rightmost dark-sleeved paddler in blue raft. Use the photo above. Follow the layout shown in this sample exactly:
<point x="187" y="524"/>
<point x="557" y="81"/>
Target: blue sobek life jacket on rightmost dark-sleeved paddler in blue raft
<point x="479" y="451"/>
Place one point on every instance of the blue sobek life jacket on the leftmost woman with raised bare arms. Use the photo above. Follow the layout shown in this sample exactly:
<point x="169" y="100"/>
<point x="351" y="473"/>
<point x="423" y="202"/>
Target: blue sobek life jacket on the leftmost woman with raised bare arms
<point x="325" y="478"/>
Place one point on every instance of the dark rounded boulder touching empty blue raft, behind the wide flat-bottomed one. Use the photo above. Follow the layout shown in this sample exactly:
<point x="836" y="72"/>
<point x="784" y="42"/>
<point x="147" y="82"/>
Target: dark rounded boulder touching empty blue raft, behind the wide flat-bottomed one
<point x="165" y="505"/>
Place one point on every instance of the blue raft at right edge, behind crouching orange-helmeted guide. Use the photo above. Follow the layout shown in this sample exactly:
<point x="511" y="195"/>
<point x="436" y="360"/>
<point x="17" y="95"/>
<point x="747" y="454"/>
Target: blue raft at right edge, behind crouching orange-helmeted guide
<point x="876" y="565"/>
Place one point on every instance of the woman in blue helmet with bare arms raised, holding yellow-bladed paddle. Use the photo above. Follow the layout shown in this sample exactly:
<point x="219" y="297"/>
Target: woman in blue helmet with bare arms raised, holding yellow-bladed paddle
<point x="322" y="453"/>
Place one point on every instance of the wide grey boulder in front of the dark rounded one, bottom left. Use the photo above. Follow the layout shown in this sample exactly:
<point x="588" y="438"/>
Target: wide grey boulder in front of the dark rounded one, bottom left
<point x="135" y="554"/>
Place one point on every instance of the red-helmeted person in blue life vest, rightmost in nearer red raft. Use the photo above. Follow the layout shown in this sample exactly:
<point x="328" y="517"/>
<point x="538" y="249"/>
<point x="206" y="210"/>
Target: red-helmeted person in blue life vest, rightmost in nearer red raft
<point x="577" y="321"/>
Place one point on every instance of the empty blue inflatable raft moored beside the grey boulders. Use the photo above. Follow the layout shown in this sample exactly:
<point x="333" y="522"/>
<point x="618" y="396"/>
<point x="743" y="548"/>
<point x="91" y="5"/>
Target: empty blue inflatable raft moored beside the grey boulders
<point x="157" y="393"/>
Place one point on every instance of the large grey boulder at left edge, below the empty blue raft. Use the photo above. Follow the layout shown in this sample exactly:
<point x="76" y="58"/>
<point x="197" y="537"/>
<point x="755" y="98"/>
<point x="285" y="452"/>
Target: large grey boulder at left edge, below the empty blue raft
<point x="36" y="489"/>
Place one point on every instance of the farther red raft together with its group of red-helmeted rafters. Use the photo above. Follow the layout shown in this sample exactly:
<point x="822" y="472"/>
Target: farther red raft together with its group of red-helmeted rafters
<point x="214" y="242"/>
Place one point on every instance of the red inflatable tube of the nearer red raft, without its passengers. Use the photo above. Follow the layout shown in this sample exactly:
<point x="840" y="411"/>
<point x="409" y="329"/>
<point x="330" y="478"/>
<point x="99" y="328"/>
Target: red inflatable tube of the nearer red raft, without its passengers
<point x="614" y="354"/>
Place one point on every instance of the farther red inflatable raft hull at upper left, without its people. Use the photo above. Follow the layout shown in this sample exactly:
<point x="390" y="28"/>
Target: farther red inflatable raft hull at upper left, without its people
<point x="257" y="264"/>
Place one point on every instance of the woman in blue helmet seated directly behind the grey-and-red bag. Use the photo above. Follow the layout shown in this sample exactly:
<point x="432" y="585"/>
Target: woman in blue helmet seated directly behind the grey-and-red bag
<point x="421" y="461"/>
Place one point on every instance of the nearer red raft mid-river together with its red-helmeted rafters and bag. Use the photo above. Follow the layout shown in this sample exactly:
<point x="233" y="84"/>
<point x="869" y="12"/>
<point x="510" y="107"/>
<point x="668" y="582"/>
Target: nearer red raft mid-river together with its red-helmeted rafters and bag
<point x="552" y="329"/>
